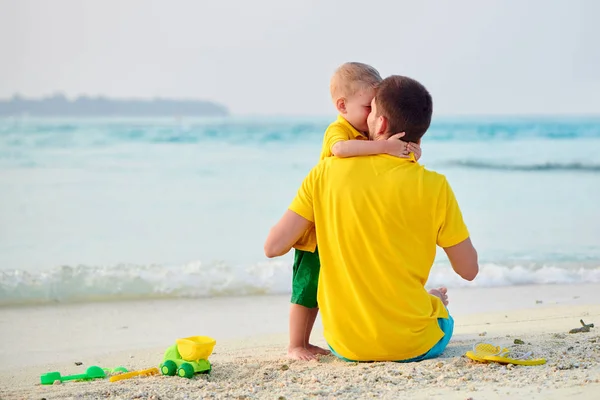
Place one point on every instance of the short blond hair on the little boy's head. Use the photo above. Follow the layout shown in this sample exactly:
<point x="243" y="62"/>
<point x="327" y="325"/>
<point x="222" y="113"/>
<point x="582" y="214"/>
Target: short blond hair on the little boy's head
<point x="351" y="77"/>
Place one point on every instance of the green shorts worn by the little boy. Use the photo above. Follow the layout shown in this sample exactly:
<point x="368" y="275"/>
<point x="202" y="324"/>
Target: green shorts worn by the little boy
<point x="305" y="278"/>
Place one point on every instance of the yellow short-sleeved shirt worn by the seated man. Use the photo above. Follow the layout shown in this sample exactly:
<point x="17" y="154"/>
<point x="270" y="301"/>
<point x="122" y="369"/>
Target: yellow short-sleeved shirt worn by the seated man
<point x="378" y="220"/>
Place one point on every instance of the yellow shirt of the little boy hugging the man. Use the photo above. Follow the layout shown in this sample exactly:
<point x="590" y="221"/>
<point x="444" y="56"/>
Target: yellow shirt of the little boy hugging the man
<point x="337" y="131"/>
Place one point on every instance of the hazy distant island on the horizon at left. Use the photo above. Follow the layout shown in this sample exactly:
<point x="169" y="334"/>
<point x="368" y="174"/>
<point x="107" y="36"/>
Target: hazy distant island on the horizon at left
<point x="60" y="106"/>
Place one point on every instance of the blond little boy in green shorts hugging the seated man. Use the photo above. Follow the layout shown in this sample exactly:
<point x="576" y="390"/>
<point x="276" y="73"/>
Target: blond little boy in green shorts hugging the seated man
<point x="352" y="88"/>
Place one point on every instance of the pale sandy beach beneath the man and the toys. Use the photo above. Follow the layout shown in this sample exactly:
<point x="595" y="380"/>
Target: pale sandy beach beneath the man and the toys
<point x="249" y="360"/>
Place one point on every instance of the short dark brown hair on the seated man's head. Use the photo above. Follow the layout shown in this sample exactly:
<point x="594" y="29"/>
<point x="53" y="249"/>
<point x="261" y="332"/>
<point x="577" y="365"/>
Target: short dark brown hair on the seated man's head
<point x="406" y="104"/>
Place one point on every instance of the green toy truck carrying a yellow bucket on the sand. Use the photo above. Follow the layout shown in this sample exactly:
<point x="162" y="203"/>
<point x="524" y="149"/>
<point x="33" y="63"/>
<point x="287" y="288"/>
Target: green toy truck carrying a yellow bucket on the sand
<point x="188" y="356"/>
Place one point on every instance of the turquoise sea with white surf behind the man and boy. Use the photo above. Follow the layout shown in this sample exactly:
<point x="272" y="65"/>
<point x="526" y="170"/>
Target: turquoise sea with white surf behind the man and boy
<point x="96" y="209"/>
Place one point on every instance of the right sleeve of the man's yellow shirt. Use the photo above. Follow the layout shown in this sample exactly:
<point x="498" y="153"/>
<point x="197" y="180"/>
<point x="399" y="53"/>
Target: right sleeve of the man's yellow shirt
<point x="452" y="229"/>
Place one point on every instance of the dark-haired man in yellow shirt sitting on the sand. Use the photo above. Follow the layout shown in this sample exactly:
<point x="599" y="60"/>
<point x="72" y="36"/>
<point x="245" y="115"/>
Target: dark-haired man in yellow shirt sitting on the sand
<point x="378" y="220"/>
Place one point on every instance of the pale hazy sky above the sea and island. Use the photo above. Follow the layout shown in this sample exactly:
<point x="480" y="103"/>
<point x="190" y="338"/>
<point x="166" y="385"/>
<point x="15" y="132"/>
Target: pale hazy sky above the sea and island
<point x="275" y="57"/>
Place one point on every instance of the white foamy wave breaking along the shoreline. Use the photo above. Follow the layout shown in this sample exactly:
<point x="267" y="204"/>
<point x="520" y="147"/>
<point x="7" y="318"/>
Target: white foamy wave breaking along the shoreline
<point x="66" y="284"/>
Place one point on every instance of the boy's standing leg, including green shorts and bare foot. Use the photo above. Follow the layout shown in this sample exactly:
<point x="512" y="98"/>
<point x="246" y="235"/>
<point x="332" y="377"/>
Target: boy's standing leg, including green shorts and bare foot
<point x="304" y="310"/>
